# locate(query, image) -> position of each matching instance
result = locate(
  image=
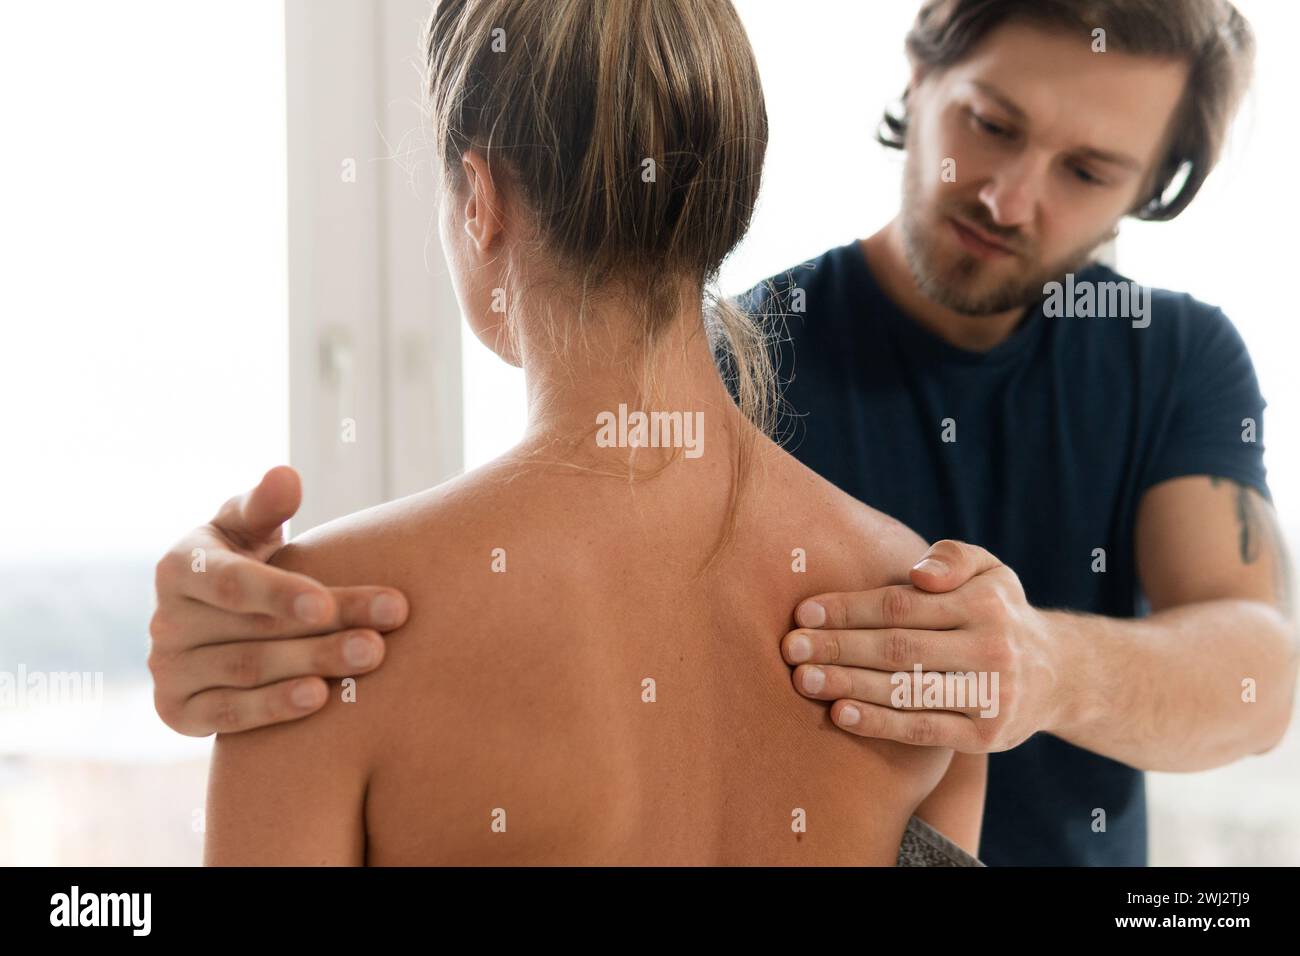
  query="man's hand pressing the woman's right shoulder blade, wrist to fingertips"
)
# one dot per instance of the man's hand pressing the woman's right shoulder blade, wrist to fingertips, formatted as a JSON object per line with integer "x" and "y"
{"x": 967, "y": 613}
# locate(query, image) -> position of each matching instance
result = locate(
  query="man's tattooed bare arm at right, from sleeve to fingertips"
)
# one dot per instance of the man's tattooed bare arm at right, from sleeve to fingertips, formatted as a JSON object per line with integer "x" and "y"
{"x": 1168, "y": 693}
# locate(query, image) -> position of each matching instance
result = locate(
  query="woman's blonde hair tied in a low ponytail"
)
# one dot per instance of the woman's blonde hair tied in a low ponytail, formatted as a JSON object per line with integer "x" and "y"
{"x": 571, "y": 105}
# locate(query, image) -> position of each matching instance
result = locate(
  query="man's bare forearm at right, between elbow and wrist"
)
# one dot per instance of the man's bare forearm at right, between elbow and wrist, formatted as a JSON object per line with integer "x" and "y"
{"x": 1189, "y": 689}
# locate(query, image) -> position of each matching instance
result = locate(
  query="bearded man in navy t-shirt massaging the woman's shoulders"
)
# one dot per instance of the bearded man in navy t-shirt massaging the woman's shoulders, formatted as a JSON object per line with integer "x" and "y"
{"x": 970, "y": 373}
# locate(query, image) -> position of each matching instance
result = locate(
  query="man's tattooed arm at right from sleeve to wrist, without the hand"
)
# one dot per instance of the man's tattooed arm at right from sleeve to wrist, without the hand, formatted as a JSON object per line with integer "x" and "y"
{"x": 1211, "y": 676}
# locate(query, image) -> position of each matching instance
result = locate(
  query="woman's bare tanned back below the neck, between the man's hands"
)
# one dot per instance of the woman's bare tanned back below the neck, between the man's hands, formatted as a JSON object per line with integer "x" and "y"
{"x": 571, "y": 689}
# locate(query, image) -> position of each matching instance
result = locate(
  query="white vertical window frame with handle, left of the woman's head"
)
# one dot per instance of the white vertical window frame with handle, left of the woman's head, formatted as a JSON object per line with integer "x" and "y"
{"x": 374, "y": 322}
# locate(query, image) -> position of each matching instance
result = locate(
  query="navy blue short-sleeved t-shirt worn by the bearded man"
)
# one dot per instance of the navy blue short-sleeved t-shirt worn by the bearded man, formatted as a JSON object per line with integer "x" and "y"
{"x": 1059, "y": 431}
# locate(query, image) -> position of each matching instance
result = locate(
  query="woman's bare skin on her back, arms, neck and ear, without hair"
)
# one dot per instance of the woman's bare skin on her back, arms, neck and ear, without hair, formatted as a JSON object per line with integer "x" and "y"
{"x": 523, "y": 690}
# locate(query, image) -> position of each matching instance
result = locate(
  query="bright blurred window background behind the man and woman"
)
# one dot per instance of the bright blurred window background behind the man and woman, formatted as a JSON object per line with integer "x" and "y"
{"x": 218, "y": 240}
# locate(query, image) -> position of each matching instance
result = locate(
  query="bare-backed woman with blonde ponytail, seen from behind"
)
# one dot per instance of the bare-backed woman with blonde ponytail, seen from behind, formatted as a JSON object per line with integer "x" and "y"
{"x": 591, "y": 673}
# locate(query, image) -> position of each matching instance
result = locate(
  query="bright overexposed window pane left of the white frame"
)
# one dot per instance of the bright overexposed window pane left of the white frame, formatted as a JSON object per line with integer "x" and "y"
{"x": 144, "y": 379}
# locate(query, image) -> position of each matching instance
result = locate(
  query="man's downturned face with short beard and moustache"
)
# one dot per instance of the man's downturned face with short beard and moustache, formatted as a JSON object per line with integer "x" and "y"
{"x": 1052, "y": 144}
